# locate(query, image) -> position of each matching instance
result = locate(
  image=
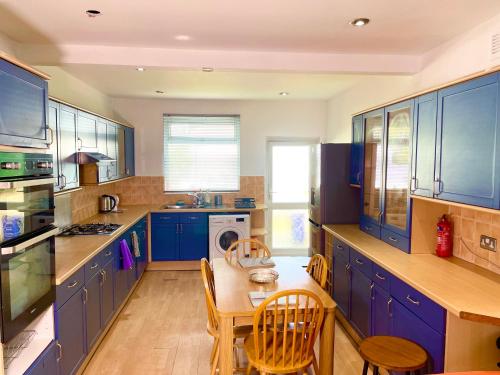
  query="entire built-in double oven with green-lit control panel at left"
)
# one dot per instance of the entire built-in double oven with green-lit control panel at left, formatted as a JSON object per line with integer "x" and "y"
{"x": 27, "y": 244}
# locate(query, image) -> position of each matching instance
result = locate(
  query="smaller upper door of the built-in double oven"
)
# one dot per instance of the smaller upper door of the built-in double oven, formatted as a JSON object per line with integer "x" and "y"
{"x": 26, "y": 206}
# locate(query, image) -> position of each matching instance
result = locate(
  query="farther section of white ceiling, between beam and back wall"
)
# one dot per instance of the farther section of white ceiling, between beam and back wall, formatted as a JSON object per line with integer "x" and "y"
{"x": 122, "y": 81}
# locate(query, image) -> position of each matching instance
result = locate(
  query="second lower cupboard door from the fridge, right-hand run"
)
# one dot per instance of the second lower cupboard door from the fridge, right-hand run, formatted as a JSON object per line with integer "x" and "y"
{"x": 361, "y": 298}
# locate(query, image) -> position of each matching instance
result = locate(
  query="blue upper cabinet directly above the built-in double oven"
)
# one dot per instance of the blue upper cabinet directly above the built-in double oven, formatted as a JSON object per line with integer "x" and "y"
{"x": 23, "y": 107}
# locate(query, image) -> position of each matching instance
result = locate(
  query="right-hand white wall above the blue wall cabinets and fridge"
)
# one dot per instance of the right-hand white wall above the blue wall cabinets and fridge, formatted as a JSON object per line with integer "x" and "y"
{"x": 466, "y": 54}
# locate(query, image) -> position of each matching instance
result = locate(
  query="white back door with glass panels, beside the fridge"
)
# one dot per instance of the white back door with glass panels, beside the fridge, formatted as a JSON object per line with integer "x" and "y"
{"x": 289, "y": 184}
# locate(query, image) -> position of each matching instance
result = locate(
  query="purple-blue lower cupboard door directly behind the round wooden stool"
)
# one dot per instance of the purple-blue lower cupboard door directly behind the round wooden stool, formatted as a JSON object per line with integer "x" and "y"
{"x": 408, "y": 325}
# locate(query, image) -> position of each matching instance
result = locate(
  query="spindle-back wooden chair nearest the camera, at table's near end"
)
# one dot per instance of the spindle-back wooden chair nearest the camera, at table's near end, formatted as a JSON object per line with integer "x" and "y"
{"x": 272, "y": 350}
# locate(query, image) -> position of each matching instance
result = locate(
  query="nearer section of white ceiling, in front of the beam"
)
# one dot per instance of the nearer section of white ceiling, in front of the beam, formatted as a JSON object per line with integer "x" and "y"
{"x": 398, "y": 26}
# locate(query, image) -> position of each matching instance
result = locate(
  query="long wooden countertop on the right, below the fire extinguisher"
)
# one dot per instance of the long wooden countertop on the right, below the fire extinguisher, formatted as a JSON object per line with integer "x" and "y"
{"x": 465, "y": 290}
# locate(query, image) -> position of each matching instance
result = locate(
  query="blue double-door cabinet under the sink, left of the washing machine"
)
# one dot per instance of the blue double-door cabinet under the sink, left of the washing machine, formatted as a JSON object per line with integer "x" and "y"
{"x": 182, "y": 236}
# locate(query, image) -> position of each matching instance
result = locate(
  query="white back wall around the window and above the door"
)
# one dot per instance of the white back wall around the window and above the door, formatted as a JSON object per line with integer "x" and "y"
{"x": 259, "y": 120}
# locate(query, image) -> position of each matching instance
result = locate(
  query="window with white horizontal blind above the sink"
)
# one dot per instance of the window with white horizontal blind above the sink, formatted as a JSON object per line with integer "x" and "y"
{"x": 201, "y": 152}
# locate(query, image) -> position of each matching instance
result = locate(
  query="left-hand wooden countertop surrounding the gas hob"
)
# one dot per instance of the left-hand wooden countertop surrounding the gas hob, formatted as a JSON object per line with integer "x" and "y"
{"x": 72, "y": 252}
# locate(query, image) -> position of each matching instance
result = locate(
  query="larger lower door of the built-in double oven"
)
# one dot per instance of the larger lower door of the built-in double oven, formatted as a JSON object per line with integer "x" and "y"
{"x": 27, "y": 280}
